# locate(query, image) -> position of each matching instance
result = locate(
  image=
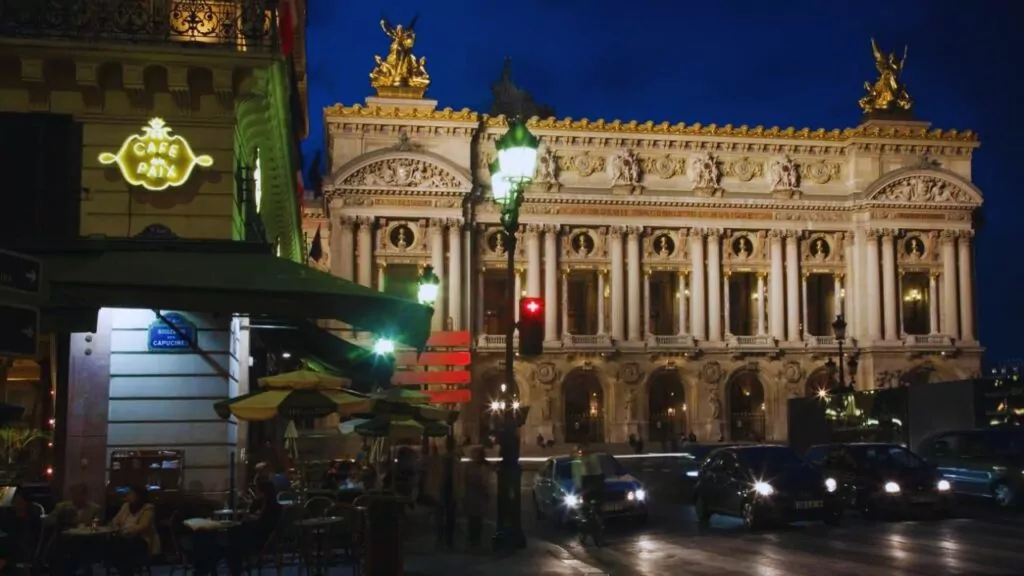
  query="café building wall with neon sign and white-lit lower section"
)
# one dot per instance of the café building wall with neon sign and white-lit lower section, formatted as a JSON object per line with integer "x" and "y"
{"x": 175, "y": 120}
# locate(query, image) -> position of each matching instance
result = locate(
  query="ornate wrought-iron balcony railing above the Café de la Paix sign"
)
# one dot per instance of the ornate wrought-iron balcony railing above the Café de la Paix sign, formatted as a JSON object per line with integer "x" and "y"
{"x": 234, "y": 25}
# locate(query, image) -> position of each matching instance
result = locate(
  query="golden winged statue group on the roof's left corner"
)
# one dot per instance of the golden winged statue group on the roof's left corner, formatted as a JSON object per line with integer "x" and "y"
{"x": 400, "y": 75}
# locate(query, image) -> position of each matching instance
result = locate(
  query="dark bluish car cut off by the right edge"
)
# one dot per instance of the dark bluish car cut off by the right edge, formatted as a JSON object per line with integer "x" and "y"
{"x": 986, "y": 463}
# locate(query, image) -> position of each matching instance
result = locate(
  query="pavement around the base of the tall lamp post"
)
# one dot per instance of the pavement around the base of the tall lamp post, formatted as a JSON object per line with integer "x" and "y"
{"x": 423, "y": 558}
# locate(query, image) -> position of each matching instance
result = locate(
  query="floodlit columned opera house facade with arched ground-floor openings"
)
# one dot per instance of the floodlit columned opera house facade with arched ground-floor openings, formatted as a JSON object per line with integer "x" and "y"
{"x": 692, "y": 273}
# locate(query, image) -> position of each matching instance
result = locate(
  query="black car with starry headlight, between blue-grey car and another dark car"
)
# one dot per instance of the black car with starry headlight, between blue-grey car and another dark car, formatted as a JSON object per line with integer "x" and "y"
{"x": 765, "y": 484}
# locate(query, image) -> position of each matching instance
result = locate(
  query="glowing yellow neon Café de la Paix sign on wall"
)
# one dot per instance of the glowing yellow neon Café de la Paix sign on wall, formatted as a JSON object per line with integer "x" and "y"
{"x": 156, "y": 160}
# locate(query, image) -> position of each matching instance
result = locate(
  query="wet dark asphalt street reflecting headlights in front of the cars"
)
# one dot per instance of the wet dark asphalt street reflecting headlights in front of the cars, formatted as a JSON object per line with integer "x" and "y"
{"x": 978, "y": 541}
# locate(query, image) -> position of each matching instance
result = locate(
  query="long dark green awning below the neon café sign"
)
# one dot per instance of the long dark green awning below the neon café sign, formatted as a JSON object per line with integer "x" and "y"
{"x": 219, "y": 277}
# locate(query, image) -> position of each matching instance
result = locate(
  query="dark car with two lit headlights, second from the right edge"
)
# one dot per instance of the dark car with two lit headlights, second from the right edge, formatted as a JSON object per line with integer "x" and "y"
{"x": 883, "y": 480}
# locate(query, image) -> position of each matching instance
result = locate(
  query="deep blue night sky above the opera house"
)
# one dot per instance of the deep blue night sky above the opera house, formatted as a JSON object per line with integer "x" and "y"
{"x": 789, "y": 63}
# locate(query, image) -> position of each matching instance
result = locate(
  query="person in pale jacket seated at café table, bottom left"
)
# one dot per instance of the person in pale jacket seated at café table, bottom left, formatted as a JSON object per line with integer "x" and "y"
{"x": 138, "y": 541}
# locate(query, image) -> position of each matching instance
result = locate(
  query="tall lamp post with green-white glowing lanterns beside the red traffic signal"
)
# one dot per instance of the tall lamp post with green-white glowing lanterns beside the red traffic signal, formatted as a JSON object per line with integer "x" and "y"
{"x": 511, "y": 173}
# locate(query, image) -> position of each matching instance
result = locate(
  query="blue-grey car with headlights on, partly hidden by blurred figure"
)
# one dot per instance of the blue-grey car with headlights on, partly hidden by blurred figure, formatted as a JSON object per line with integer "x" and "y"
{"x": 554, "y": 492}
